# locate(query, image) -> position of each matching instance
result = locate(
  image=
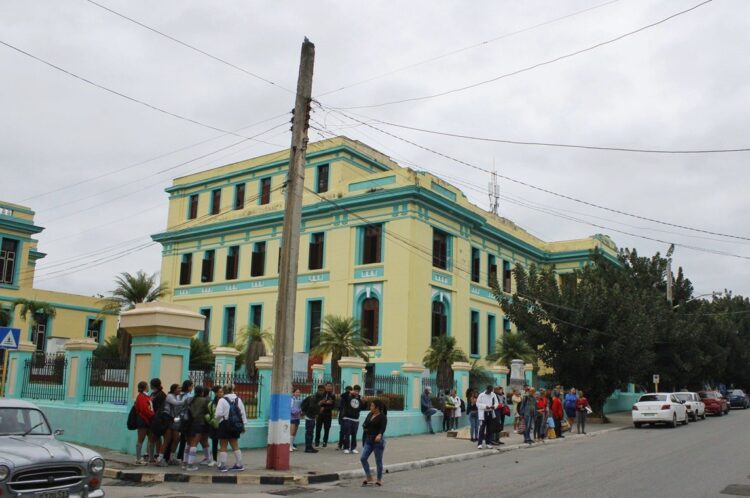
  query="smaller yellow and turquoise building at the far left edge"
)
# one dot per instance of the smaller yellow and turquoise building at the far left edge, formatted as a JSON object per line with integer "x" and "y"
{"x": 75, "y": 316}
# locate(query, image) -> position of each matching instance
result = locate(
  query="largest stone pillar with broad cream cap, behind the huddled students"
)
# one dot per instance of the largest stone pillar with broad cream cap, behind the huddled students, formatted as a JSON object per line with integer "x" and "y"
{"x": 161, "y": 342}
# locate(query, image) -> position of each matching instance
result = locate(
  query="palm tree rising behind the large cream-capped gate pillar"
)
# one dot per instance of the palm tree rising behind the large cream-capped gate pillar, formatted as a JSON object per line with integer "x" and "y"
{"x": 131, "y": 290}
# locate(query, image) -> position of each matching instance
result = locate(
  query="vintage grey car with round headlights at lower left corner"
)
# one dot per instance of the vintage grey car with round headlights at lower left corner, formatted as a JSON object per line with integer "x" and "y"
{"x": 34, "y": 463}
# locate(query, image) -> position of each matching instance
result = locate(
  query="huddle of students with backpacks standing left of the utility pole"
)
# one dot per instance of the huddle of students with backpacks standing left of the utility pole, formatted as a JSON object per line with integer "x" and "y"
{"x": 176, "y": 422}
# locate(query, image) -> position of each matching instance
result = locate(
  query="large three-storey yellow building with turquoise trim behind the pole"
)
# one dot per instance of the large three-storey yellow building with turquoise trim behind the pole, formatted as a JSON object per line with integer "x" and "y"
{"x": 402, "y": 251}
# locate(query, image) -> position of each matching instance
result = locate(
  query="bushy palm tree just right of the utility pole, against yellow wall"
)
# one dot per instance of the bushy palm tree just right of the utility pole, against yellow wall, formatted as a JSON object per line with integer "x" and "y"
{"x": 340, "y": 337}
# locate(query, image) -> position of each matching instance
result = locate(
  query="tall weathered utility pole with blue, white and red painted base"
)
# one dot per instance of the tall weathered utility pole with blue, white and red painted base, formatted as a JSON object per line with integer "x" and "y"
{"x": 277, "y": 454}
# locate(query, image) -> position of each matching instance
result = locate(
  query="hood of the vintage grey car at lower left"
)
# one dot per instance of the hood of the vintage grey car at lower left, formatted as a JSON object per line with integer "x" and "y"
{"x": 20, "y": 451}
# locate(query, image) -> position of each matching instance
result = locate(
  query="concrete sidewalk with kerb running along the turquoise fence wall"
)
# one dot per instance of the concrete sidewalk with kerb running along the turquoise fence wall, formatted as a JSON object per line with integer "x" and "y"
{"x": 402, "y": 453}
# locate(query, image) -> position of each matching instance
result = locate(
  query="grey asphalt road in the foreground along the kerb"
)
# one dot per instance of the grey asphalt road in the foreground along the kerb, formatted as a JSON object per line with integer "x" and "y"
{"x": 699, "y": 460}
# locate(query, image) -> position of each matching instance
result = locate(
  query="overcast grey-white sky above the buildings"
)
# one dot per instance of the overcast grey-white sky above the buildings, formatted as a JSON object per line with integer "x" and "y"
{"x": 94, "y": 165}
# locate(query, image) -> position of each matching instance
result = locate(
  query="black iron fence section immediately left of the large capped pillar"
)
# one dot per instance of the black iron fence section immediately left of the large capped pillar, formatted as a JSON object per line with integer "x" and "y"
{"x": 107, "y": 380}
